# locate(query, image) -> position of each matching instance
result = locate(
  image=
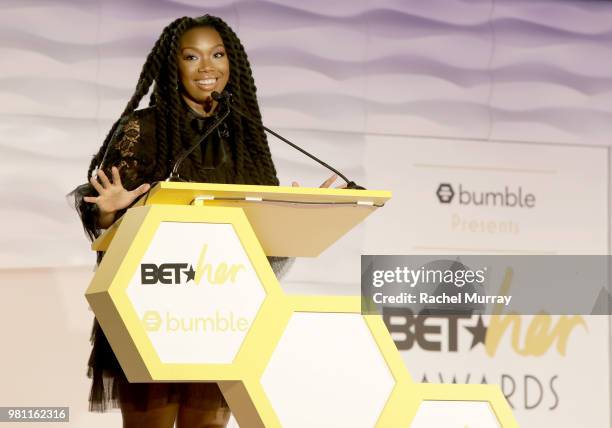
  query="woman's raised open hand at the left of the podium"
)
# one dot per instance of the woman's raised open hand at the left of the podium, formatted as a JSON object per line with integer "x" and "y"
{"x": 113, "y": 197}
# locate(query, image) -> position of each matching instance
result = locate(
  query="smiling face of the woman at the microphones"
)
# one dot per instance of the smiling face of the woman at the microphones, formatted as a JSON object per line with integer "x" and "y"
{"x": 203, "y": 68}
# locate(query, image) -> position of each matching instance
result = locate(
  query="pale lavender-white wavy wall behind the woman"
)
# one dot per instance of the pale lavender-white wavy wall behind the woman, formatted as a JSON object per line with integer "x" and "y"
{"x": 332, "y": 75}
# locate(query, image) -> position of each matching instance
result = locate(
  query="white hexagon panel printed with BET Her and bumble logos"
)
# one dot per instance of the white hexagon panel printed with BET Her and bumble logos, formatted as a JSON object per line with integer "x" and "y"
{"x": 196, "y": 292}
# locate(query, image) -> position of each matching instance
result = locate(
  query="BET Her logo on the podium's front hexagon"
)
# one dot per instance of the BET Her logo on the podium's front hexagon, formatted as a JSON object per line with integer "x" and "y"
{"x": 172, "y": 273}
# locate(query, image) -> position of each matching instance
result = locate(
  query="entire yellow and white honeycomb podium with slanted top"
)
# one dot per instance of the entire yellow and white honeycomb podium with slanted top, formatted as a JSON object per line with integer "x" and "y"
{"x": 185, "y": 293}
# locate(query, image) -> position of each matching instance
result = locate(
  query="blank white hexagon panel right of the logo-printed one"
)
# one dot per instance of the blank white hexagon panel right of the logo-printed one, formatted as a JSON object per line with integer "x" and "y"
{"x": 327, "y": 371}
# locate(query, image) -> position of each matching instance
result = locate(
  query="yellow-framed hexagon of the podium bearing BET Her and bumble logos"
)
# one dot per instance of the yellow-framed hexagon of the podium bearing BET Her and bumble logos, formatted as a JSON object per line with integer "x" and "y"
{"x": 179, "y": 290}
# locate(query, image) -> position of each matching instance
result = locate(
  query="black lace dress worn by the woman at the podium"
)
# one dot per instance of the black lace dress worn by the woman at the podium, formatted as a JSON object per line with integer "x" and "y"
{"x": 135, "y": 152}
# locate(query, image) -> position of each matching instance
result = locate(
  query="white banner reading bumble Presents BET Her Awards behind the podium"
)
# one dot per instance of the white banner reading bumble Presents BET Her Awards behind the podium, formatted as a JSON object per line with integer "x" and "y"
{"x": 552, "y": 366}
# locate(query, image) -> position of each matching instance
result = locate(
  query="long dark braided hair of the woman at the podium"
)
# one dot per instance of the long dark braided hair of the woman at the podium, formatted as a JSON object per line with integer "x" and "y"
{"x": 252, "y": 159}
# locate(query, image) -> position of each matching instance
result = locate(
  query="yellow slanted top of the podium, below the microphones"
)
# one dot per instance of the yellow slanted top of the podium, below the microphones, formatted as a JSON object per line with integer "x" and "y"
{"x": 288, "y": 221}
